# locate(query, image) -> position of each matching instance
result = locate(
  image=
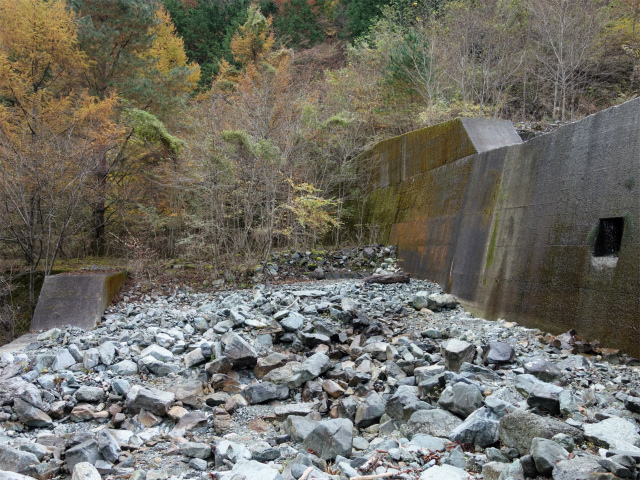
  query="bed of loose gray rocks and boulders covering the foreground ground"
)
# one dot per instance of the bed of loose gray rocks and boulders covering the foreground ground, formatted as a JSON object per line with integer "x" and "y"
{"x": 330, "y": 379}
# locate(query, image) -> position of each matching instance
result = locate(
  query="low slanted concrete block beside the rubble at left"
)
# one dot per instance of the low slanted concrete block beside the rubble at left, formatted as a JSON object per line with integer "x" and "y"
{"x": 78, "y": 300}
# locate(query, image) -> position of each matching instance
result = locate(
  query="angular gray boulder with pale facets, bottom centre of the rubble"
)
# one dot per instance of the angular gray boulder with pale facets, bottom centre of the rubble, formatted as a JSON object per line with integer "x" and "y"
{"x": 331, "y": 438}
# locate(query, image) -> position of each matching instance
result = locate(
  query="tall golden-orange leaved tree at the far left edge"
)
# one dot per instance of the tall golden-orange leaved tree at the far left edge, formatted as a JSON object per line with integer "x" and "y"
{"x": 53, "y": 134}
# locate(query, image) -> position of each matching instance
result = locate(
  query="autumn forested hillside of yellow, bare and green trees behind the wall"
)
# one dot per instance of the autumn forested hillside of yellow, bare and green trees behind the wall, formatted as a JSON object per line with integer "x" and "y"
{"x": 218, "y": 131}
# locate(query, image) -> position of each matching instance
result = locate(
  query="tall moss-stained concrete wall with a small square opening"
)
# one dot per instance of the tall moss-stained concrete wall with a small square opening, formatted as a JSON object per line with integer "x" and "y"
{"x": 511, "y": 231}
